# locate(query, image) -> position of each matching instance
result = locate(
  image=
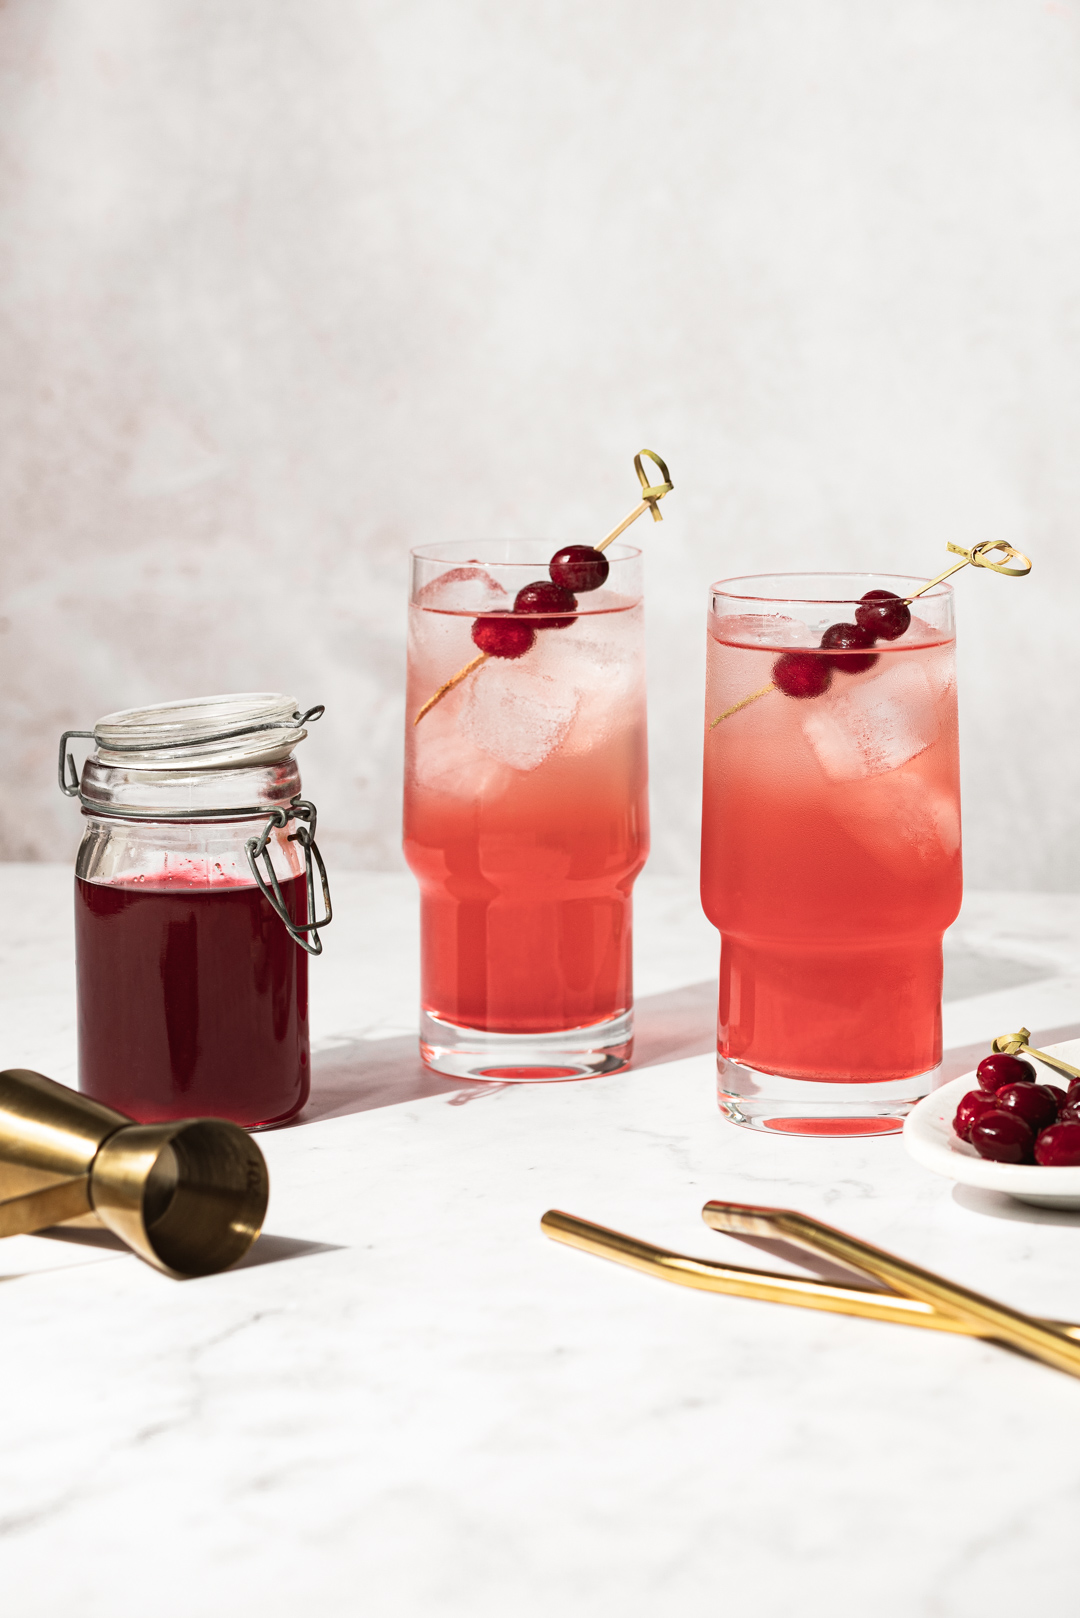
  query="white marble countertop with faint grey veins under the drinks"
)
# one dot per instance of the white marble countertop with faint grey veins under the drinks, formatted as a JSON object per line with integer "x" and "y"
{"x": 407, "y": 1402}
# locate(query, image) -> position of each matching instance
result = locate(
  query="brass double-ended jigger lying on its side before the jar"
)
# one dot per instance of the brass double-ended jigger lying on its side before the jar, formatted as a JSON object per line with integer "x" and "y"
{"x": 187, "y": 1197}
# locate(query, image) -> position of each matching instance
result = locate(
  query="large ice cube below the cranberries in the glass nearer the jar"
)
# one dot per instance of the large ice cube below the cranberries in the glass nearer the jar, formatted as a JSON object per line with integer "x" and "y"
{"x": 516, "y": 713}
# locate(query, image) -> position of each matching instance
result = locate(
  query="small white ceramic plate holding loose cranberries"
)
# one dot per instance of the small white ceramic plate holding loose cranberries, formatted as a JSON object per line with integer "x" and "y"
{"x": 932, "y": 1143}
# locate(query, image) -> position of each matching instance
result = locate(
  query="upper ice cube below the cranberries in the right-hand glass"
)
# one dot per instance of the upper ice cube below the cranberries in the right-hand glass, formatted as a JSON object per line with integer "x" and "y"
{"x": 874, "y": 724}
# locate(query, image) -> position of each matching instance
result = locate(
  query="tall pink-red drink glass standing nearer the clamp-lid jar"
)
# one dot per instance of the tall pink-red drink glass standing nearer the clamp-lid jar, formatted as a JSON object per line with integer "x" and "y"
{"x": 525, "y": 815}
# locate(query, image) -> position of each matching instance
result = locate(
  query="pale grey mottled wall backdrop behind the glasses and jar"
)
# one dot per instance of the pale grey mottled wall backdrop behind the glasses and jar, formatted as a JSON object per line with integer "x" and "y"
{"x": 291, "y": 286}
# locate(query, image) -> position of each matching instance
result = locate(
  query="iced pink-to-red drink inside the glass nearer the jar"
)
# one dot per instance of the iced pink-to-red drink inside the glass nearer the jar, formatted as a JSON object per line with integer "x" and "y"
{"x": 527, "y": 873}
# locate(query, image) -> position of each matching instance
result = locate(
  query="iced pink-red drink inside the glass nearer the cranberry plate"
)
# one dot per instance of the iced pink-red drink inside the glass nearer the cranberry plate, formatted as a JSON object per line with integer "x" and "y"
{"x": 833, "y": 873}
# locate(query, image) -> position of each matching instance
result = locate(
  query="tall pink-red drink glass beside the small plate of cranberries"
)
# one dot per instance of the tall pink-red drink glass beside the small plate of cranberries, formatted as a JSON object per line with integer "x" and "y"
{"x": 830, "y": 850}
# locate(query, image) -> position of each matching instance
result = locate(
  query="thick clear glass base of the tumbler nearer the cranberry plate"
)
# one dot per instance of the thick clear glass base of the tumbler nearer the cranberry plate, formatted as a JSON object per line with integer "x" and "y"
{"x": 765, "y": 1101}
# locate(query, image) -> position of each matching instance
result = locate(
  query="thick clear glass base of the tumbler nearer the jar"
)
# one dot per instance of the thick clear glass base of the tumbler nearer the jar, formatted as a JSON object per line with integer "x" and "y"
{"x": 527, "y": 1059}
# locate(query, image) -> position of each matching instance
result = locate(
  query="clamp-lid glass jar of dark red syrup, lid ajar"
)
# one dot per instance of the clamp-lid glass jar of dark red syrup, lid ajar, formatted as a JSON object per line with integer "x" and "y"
{"x": 197, "y": 910}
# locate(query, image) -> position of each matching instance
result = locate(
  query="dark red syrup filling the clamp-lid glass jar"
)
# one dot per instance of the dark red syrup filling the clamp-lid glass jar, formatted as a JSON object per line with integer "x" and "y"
{"x": 193, "y": 1001}
